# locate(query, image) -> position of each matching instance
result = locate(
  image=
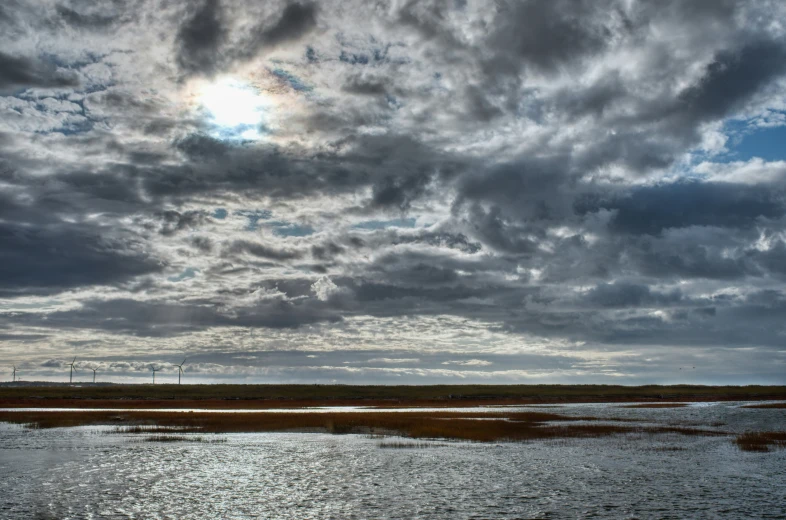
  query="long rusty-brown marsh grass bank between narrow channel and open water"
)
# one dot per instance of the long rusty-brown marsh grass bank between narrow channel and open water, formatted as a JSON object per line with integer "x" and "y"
{"x": 496, "y": 426}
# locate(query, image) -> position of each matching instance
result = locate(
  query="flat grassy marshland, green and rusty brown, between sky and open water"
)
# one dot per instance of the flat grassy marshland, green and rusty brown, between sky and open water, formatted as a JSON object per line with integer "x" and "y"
{"x": 151, "y": 410}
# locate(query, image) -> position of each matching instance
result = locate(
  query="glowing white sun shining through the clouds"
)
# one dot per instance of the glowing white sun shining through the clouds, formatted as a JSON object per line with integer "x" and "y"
{"x": 235, "y": 108}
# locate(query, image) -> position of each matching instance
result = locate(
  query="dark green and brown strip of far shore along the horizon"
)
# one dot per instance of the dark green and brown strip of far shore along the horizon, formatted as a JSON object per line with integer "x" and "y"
{"x": 166, "y": 396}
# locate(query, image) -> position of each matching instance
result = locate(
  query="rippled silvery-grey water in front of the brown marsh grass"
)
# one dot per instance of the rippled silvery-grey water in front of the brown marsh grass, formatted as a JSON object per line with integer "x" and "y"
{"x": 109, "y": 472}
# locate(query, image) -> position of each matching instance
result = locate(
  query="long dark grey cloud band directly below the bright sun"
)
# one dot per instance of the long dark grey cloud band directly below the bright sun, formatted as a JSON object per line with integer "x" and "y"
{"x": 398, "y": 169}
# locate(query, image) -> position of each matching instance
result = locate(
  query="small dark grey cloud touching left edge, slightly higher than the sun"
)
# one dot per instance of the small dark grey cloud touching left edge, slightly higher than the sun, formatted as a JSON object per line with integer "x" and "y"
{"x": 19, "y": 72}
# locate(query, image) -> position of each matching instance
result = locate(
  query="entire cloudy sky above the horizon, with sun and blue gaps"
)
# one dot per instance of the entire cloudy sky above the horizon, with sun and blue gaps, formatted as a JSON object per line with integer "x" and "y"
{"x": 533, "y": 191}
